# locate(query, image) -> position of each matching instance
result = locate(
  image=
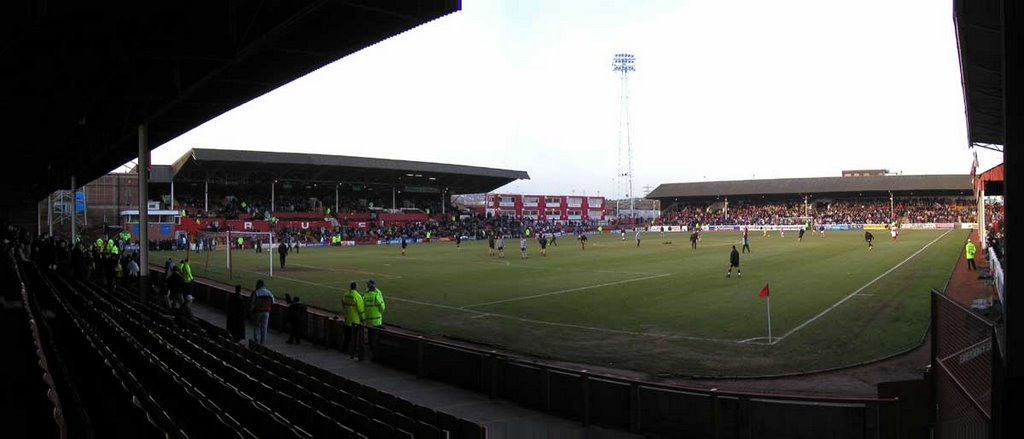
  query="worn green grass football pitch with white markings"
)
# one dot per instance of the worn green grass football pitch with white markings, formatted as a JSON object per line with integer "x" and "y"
{"x": 663, "y": 309}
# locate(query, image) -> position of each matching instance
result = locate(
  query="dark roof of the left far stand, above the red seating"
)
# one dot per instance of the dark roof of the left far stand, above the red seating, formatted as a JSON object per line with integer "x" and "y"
{"x": 245, "y": 167}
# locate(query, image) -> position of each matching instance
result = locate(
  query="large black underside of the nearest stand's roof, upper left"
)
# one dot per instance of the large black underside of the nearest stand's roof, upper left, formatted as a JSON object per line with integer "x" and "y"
{"x": 78, "y": 78}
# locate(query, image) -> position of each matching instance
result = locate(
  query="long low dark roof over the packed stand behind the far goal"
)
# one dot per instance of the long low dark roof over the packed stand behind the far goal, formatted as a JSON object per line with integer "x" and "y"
{"x": 817, "y": 187}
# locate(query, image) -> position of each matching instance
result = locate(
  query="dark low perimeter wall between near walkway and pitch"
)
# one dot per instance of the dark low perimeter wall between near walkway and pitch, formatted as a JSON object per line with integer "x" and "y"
{"x": 594, "y": 399}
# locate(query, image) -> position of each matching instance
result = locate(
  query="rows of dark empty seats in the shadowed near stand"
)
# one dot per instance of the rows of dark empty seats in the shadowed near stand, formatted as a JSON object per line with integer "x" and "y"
{"x": 141, "y": 375}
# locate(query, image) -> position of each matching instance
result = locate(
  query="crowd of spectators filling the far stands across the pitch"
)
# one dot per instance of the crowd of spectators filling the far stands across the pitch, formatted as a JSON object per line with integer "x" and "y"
{"x": 462, "y": 224}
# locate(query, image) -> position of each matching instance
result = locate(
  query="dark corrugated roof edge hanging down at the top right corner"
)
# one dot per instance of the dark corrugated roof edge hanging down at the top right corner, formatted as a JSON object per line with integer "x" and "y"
{"x": 979, "y": 38}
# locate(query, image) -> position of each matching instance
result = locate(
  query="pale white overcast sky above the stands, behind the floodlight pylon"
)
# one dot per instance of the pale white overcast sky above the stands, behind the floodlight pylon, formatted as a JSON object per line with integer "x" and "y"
{"x": 722, "y": 91}
